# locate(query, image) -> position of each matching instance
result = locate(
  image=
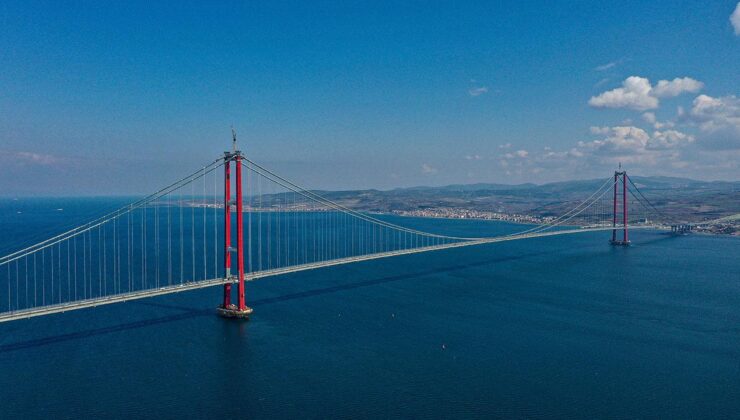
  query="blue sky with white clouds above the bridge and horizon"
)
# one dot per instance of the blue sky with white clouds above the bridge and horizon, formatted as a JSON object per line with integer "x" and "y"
{"x": 101, "y": 98}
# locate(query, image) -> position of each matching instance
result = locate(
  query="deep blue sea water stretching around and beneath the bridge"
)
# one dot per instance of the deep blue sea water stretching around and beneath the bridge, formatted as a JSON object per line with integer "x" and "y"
{"x": 565, "y": 326}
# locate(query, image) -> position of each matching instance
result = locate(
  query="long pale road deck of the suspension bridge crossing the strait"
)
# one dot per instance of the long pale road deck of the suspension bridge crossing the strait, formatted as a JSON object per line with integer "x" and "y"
{"x": 176, "y": 288}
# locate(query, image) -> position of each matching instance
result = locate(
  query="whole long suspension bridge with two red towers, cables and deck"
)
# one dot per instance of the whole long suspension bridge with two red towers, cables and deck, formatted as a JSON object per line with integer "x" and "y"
{"x": 234, "y": 221}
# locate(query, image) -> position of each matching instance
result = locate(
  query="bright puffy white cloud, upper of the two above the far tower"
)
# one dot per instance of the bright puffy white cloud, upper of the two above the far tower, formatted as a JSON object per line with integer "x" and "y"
{"x": 637, "y": 93}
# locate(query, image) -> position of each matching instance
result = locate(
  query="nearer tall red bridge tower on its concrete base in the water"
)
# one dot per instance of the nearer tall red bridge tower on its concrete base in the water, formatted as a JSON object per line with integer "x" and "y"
{"x": 227, "y": 309}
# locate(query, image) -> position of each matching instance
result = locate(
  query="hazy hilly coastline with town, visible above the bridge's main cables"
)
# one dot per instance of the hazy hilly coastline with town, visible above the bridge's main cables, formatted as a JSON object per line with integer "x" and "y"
{"x": 682, "y": 198}
